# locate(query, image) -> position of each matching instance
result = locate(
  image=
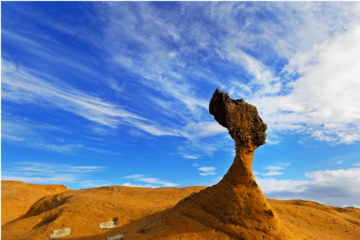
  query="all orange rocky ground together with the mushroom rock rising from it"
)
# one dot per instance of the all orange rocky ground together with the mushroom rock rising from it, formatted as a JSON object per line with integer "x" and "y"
{"x": 235, "y": 208}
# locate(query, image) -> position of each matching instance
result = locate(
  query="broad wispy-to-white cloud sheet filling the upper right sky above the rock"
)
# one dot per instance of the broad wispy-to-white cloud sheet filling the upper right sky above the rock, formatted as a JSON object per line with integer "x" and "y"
{"x": 286, "y": 101}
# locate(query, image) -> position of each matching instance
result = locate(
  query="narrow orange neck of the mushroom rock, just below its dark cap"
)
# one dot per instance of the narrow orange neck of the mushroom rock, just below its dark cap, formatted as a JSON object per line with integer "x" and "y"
{"x": 240, "y": 171}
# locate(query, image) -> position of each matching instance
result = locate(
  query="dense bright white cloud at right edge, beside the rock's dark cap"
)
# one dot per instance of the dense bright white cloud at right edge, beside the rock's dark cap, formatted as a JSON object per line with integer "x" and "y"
{"x": 323, "y": 101}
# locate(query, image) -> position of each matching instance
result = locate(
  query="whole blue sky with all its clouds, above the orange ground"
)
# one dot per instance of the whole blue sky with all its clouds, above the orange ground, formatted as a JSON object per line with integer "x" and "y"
{"x": 116, "y": 92}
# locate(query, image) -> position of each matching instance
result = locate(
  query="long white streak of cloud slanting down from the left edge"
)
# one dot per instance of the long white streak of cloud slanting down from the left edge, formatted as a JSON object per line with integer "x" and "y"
{"x": 21, "y": 87}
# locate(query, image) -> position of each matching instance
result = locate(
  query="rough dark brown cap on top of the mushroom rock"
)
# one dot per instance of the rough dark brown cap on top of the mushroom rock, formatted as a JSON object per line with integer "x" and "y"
{"x": 240, "y": 118}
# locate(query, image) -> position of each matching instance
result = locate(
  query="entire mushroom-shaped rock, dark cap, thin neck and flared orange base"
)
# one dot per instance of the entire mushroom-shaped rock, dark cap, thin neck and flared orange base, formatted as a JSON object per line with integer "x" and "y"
{"x": 236, "y": 206}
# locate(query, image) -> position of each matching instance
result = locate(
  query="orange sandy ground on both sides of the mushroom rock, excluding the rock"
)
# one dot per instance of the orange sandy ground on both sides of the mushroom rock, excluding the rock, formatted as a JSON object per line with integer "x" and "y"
{"x": 136, "y": 208}
